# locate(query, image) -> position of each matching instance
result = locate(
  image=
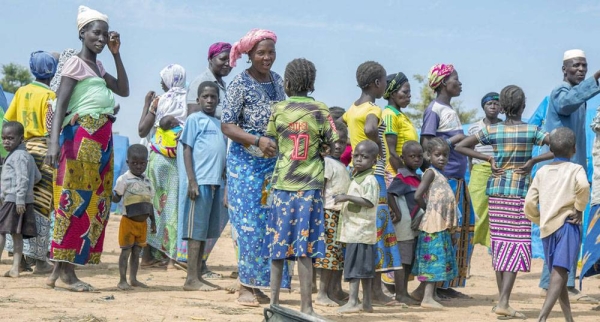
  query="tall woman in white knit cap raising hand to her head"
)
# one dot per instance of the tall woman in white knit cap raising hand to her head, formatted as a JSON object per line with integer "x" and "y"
{"x": 83, "y": 123}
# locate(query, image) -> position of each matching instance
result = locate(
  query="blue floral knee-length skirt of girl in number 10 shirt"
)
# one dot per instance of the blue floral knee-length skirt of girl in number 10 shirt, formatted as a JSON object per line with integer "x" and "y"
{"x": 295, "y": 225}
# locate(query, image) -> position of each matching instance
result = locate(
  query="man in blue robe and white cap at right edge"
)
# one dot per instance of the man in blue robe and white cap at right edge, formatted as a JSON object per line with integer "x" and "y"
{"x": 567, "y": 107}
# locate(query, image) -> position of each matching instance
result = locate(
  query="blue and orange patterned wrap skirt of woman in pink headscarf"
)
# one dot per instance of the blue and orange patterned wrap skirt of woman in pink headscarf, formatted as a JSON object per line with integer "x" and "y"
{"x": 463, "y": 235}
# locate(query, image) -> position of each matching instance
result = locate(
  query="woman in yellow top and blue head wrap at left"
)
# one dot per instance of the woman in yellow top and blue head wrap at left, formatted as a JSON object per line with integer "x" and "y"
{"x": 30, "y": 108}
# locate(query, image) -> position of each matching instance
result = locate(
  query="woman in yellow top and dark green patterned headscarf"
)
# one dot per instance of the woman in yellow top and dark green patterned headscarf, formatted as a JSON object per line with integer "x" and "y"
{"x": 398, "y": 127}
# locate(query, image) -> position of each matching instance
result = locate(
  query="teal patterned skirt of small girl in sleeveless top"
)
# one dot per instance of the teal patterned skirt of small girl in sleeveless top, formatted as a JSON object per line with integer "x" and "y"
{"x": 434, "y": 258}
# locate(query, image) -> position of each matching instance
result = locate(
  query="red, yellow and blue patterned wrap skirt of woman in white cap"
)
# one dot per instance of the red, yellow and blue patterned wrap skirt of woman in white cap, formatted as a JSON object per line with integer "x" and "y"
{"x": 82, "y": 191}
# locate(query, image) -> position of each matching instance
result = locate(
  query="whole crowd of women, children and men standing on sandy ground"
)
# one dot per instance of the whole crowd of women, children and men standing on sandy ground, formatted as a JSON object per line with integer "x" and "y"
{"x": 357, "y": 194}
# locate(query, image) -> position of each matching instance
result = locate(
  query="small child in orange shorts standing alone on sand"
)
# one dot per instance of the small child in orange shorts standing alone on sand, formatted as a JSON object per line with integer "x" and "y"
{"x": 136, "y": 191}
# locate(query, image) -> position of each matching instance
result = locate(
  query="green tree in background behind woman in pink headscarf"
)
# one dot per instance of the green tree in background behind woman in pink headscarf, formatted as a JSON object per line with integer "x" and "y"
{"x": 426, "y": 94}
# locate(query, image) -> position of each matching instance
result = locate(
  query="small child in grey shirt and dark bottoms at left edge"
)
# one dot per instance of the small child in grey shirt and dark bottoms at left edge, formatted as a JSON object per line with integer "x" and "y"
{"x": 19, "y": 175}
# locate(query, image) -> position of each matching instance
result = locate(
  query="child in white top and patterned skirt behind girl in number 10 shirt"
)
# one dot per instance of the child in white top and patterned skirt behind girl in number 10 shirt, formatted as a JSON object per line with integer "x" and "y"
{"x": 337, "y": 181}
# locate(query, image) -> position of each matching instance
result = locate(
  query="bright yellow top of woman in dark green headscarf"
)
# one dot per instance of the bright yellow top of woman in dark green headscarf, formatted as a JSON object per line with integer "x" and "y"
{"x": 398, "y": 124}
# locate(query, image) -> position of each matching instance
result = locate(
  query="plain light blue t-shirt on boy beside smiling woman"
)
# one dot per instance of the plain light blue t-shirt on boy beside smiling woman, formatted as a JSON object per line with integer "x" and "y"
{"x": 209, "y": 148}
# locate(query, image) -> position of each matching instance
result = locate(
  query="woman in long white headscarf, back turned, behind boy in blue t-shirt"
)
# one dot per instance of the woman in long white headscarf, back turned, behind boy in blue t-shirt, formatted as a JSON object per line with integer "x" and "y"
{"x": 162, "y": 169}
